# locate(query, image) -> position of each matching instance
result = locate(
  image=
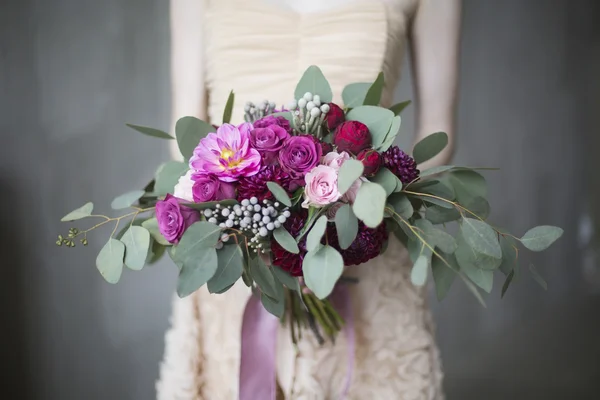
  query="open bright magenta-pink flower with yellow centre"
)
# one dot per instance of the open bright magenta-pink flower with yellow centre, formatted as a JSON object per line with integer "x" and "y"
{"x": 227, "y": 154}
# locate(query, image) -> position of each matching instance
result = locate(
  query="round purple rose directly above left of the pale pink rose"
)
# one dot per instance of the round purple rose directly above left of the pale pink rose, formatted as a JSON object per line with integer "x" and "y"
{"x": 299, "y": 155}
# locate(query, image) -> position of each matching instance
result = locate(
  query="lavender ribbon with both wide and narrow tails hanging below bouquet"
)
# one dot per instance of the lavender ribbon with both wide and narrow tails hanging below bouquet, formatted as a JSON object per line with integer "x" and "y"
{"x": 259, "y": 344}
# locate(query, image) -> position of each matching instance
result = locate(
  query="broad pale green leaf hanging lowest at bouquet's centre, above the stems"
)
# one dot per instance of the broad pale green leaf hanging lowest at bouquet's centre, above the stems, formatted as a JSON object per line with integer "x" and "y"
{"x": 322, "y": 269}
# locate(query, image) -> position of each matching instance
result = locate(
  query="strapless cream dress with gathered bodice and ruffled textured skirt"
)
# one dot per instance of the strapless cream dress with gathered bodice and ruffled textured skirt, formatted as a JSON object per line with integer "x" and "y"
{"x": 260, "y": 50}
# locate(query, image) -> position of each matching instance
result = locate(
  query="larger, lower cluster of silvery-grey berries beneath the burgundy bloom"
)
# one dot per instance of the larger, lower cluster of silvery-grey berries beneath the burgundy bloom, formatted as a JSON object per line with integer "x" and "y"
{"x": 255, "y": 219}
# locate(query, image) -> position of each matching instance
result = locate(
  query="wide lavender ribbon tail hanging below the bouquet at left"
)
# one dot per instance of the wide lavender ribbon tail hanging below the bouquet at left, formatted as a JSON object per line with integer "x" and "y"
{"x": 258, "y": 358}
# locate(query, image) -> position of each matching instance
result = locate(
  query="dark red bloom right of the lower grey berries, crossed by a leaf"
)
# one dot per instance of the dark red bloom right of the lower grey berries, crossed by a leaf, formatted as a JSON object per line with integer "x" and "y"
{"x": 282, "y": 258}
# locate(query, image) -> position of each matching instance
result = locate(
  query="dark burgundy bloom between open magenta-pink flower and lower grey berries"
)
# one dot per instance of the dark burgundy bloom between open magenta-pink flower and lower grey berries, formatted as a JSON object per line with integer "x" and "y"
{"x": 256, "y": 185}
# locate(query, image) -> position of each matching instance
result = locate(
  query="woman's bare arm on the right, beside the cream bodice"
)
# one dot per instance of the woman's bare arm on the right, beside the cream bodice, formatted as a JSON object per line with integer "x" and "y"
{"x": 435, "y": 45}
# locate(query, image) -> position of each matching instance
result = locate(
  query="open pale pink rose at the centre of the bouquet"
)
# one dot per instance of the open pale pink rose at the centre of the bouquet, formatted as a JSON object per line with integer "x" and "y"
{"x": 321, "y": 187}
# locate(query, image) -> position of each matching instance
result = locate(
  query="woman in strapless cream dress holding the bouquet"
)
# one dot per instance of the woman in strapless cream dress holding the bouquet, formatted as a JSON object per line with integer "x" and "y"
{"x": 259, "y": 48}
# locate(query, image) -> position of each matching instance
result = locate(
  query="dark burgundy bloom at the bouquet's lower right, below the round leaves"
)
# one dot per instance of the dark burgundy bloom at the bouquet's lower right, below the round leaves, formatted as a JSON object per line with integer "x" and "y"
{"x": 367, "y": 245}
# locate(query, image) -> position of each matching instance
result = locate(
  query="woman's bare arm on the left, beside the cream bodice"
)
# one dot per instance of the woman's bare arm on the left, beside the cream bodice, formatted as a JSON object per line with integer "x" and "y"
{"x": 188, "y": 94}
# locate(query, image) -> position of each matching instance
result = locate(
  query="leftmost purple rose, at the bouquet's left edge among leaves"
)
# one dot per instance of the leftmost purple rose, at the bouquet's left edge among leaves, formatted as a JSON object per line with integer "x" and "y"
{"x": 173, "y": 218}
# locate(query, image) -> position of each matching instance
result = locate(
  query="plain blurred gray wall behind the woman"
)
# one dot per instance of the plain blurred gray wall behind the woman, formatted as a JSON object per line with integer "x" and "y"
{"x": 72, "y": 72}
